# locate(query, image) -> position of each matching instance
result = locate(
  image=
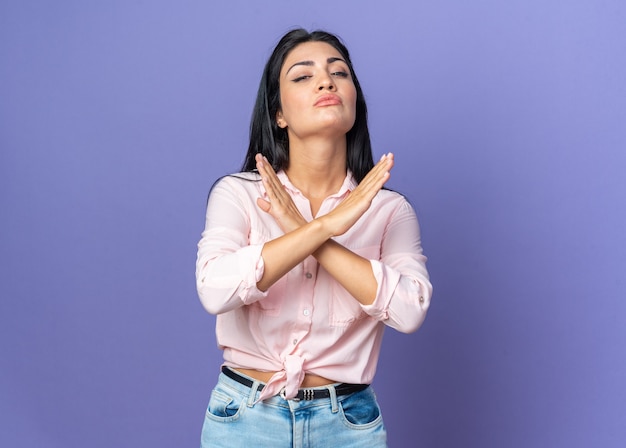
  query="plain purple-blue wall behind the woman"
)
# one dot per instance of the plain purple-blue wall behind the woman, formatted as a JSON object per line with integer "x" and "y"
{"x": 508, "y": 121}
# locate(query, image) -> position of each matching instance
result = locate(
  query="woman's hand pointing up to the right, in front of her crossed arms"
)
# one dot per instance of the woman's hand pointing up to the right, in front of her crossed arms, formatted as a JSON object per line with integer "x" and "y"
{"x": 346, "y": 214}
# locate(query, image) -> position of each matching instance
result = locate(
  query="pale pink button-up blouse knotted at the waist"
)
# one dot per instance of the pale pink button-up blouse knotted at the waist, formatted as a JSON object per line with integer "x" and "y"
{"x": 307, "y": 322}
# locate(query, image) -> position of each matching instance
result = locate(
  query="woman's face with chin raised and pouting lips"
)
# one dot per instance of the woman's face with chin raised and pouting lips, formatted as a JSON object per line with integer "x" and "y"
{"x": 317, "y": 94}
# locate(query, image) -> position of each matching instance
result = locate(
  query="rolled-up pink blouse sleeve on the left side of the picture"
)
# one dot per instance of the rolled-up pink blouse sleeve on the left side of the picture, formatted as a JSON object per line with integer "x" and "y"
{"x": 228, "y": 267}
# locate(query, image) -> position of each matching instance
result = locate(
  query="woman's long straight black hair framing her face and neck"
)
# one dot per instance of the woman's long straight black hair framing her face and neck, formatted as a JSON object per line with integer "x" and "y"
{"x": 267, "y": 138}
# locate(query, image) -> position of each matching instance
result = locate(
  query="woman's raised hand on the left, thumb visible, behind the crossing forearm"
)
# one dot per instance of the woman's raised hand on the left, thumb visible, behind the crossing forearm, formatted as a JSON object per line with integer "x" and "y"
{"x": 279, "y": 204}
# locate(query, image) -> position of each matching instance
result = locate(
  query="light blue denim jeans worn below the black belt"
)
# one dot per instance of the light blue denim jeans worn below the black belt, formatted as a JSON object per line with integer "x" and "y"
{"x": 233, "y": 420}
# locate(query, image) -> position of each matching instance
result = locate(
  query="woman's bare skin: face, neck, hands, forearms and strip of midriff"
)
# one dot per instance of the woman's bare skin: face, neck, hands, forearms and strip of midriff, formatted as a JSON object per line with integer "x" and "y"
{"x": 318, "y": 101}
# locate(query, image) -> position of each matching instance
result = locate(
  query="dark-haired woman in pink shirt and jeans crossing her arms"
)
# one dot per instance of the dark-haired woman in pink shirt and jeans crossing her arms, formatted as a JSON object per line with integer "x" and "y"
{"x": 305, "y": 259}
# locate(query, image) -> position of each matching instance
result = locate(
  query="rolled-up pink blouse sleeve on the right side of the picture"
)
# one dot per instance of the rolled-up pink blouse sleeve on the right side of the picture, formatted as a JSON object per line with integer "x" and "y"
{"x": 404, "y": 289}
